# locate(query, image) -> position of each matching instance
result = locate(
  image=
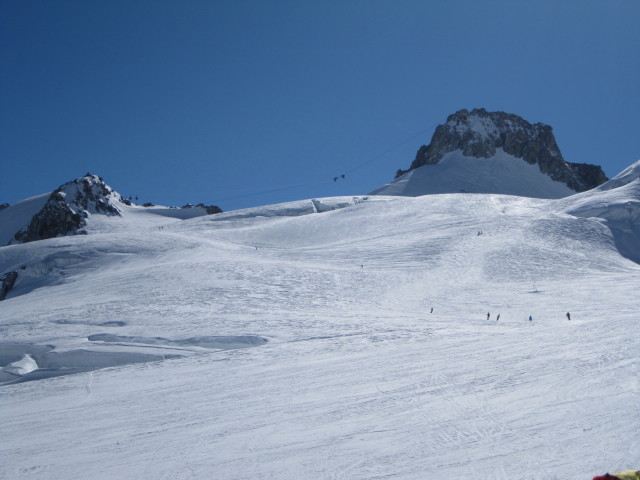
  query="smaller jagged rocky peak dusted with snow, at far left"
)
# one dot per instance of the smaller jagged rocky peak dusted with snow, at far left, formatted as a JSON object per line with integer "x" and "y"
{"x": 69, "y": 206}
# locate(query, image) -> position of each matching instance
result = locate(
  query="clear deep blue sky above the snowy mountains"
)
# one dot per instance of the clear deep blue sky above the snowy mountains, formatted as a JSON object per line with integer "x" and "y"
{"x": 203, "y": 101}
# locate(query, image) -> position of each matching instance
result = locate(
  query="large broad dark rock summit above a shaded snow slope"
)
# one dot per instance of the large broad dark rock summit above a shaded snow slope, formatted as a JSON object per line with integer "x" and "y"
{"x": 480, "y": 133}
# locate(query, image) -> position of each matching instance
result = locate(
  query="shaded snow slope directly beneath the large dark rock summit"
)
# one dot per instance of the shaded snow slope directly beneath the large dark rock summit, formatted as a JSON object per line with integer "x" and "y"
{"x": 457, "y": 173}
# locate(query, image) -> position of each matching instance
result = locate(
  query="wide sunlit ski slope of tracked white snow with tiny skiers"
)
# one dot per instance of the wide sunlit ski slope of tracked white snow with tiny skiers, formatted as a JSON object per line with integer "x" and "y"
{"x": 350, "y": 374}
